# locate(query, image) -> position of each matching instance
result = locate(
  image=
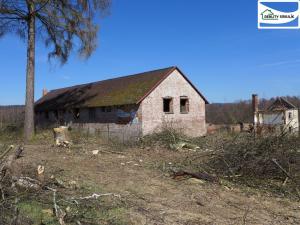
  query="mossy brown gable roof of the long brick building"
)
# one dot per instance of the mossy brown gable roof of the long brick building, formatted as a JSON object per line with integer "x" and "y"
{"x": 131, "y": 89}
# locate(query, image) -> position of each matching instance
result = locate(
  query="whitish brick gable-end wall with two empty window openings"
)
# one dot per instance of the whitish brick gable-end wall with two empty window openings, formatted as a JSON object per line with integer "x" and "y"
{"x": 175, "y": 86}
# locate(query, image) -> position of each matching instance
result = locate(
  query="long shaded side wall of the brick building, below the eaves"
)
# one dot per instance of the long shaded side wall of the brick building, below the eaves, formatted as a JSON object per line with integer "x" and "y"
{"x": 121, "y": 122}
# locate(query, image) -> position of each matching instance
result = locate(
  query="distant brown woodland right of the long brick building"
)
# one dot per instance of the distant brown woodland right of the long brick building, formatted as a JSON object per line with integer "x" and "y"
{"x": 241, "y": 111}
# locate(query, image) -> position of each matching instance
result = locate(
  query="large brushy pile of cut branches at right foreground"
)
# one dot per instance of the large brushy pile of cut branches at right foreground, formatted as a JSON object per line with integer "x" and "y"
{"x": 274, "y": 158}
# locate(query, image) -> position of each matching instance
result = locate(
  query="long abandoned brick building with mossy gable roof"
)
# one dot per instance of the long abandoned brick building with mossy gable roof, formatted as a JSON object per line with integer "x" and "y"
{"x": 126, "y": 107}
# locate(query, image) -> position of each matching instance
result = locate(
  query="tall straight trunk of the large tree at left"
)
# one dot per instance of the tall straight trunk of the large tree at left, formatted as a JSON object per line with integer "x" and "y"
{"x": 29, "y": 102}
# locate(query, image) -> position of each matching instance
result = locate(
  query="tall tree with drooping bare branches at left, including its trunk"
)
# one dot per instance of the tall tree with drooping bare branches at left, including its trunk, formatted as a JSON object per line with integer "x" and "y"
{"x": 60, "y": 24}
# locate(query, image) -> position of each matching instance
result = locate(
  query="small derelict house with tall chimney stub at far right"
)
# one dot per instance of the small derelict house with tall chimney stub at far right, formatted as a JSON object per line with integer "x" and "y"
{"x": 280, "y": 115}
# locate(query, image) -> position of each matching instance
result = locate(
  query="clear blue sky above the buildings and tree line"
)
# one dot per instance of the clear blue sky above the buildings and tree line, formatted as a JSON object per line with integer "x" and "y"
{"x": 215, "y": 43}
